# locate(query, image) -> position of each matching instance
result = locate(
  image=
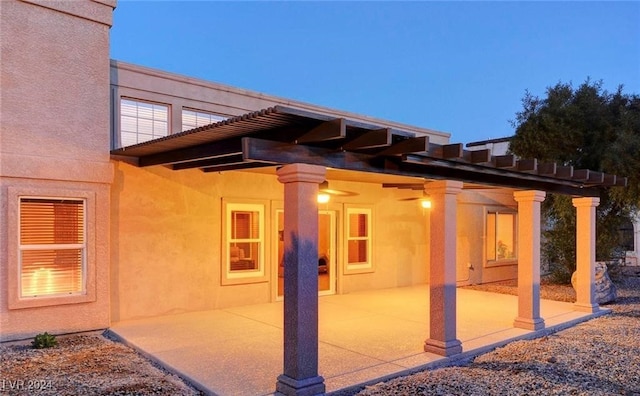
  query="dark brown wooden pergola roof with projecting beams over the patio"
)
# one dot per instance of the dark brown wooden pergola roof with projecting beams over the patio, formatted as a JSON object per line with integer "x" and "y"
{"x": 282, "y": 135}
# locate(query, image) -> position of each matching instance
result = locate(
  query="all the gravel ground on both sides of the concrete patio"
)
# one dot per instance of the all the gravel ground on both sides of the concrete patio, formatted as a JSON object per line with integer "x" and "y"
{"x": 599, "y": 357}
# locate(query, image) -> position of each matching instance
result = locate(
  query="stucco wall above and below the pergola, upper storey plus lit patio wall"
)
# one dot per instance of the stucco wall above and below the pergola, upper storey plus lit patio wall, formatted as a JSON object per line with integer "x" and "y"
{"x": 166, "y": 225}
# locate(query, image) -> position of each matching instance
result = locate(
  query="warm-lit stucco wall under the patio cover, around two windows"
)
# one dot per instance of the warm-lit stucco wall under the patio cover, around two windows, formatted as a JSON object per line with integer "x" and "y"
{"x": 166, "y": 238}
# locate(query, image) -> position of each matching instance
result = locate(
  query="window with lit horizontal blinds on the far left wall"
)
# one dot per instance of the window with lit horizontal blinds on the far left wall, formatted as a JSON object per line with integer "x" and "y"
{"x": 52, "y": 247}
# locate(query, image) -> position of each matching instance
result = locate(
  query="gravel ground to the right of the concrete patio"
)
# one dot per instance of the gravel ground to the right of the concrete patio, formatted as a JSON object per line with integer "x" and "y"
{"x": 599, "y": 357}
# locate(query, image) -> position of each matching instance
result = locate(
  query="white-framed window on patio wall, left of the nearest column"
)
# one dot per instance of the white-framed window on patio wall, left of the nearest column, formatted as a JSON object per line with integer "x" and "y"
{"x": 244, "y": 253}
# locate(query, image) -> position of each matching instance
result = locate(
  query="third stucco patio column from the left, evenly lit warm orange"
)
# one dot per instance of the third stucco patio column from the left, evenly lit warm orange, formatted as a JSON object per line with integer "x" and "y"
{"x": 529, "y": 259}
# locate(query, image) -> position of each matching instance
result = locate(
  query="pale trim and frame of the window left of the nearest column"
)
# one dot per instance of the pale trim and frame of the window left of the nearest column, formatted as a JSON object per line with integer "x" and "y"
{"x": 247, "y": 276}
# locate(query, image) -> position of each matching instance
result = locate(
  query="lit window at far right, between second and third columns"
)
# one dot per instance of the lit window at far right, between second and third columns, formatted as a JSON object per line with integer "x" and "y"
{"x": 501, "y": 236}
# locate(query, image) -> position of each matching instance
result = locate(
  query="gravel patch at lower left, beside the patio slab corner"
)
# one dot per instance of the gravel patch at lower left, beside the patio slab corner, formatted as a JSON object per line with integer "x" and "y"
{"x": 83, "y": 365}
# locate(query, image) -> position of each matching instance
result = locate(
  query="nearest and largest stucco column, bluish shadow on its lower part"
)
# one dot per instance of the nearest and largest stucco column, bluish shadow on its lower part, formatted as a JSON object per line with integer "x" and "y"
{"x": 300, "y": 376}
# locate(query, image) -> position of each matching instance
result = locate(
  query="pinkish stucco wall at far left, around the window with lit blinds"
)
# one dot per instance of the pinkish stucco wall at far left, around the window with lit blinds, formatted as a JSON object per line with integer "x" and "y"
{"x": 54, "y": 138}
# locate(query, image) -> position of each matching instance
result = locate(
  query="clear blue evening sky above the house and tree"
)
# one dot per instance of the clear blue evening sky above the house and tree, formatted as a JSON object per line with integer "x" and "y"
{"x": 458, "y": 67}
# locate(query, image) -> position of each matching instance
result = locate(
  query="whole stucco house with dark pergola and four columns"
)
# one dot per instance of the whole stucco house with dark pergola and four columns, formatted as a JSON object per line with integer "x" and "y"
{"x": 129, "y": 192}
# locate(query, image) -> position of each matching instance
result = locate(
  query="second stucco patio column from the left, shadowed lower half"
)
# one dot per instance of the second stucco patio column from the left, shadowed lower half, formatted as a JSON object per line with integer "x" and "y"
{"x": 442, "y": 268}
